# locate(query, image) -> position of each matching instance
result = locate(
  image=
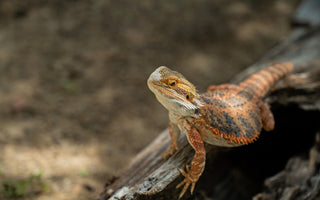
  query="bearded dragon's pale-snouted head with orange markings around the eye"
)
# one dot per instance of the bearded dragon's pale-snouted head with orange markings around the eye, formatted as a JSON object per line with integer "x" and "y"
{"x": 174, "y": 92}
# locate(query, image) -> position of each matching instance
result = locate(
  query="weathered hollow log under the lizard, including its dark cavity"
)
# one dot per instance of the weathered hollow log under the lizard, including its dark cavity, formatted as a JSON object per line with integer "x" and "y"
{"x": 289, "y": 155}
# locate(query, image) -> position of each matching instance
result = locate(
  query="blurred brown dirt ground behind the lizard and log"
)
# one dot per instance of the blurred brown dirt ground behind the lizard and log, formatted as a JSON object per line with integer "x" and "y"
{"x": 74, "y": 105}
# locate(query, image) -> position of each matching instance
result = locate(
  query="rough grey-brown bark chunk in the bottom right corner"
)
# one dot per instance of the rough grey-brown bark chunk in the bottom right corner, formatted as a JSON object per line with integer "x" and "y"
{"x": 299, "y": 180}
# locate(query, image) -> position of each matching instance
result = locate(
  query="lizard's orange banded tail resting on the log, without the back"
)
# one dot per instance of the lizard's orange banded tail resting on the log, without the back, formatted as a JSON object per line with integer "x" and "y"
{"x": 260, "y": 82}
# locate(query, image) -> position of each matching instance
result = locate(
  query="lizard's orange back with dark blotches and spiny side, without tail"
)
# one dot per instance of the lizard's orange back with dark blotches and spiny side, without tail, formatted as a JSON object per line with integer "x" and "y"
{"x": 230, "y": 117}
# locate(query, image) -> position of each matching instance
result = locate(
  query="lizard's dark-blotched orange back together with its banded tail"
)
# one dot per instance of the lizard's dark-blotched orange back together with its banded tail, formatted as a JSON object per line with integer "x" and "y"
{"x": 234, "y": 112}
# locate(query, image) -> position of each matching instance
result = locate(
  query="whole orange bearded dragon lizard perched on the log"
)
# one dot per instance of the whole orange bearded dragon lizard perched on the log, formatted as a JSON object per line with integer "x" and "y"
{"x": 226, "y": 115}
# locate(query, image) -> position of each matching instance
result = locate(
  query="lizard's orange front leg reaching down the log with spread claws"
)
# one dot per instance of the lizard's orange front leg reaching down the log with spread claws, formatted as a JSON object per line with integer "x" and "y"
{"x": 197, "y": 165}
